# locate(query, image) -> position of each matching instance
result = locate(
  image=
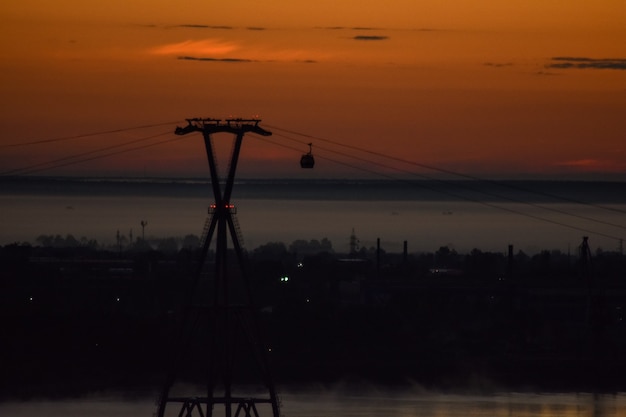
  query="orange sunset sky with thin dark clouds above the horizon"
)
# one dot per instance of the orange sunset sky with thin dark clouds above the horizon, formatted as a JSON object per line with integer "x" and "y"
{"x": 490, "y": 88}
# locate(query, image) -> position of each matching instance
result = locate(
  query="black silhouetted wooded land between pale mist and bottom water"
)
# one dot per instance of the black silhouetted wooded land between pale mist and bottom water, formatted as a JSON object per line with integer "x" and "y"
{"x": 82, "y": 317}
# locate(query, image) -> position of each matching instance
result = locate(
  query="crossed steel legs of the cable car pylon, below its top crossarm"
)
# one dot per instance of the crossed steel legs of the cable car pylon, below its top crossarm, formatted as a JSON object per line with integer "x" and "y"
{"x": 225, "y": 320}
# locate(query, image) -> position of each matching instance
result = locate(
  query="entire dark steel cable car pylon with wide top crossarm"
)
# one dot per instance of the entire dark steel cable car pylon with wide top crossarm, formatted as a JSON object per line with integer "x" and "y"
{"x": 227, "y": 309}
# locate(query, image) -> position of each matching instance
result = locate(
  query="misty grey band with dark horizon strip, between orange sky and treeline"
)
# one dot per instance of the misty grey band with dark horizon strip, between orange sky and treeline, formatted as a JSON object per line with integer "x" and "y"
{"x": 488, "y": 219}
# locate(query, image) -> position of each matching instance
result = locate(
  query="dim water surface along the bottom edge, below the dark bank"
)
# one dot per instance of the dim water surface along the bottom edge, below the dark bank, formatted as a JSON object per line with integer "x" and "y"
{"x": 371, "y": 404}
